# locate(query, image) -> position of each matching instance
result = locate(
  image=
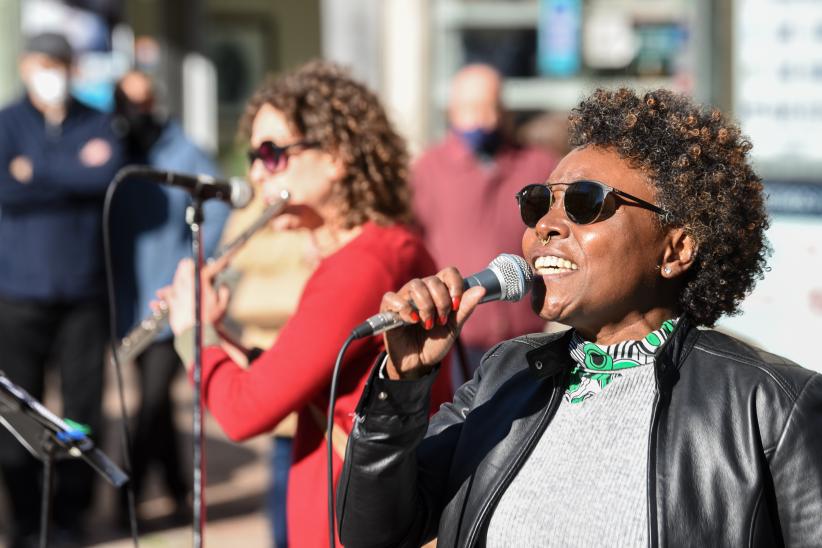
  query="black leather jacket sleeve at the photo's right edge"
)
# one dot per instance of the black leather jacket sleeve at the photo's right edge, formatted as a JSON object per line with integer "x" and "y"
{"x": 796, "y": 466}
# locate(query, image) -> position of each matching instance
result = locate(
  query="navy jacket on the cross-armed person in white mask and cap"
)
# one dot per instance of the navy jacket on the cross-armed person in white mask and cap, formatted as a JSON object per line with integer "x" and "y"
{"x": 50, "y": 223}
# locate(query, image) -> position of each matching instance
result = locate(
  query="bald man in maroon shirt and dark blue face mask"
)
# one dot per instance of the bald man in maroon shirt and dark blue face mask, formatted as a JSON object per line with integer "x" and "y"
{"x": 463, "y": 199}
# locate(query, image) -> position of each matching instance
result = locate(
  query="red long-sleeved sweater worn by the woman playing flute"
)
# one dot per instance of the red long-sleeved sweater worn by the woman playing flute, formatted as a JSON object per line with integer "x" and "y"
{"x": 346, "y": 288}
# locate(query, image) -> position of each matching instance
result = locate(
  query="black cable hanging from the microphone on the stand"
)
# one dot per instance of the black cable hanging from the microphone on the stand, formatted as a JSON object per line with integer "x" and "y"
{"x": 125, "y": 437}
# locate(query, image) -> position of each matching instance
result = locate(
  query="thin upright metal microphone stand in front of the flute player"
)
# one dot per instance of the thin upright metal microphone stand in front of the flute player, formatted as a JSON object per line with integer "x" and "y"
{"x": 194, "y": 219}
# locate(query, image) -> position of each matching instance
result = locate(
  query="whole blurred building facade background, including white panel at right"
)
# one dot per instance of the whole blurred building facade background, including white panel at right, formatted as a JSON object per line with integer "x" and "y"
{"x": 761, "y": 60}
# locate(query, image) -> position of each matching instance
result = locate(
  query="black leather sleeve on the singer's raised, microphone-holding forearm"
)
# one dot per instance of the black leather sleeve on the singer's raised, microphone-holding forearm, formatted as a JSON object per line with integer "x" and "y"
{"x": 391, "y": 489}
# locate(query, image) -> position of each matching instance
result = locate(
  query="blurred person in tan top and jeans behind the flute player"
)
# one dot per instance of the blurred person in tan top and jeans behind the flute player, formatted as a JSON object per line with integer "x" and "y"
{"x": 267, "y": 276}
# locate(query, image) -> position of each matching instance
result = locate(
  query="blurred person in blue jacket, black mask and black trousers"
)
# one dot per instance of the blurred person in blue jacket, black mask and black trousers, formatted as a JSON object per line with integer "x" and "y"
{"x": 150, "y": 237}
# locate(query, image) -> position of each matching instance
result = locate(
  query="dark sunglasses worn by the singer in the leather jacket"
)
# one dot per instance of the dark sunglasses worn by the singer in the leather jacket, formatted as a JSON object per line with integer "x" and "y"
{"x": 584, "y": 202}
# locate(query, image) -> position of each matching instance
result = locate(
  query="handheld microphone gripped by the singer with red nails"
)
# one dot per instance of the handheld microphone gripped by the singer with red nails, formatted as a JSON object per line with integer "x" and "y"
{"x": 507, "y": 278}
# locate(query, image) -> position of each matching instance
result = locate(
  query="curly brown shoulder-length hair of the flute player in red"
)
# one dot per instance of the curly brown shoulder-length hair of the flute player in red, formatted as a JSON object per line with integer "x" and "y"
{"x": 325, "y": 105}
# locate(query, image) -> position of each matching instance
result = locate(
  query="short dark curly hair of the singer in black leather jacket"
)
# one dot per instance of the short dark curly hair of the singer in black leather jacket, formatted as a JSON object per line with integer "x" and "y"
{"x": 698, "y": 160}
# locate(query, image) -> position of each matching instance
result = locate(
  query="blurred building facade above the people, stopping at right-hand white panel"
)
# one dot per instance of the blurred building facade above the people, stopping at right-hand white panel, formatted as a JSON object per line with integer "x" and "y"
{"x": 211, "y": 54}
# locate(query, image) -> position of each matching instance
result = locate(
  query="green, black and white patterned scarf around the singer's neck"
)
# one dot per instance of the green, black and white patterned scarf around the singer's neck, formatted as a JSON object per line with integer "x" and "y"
{"x": 597, "y": 366}
